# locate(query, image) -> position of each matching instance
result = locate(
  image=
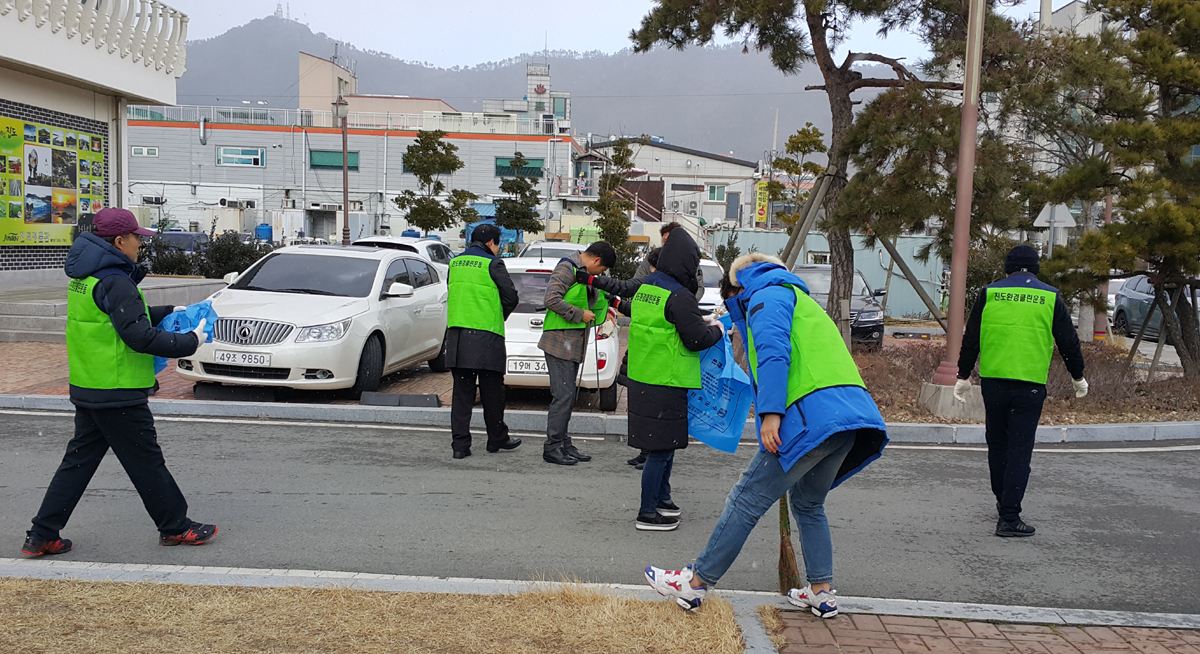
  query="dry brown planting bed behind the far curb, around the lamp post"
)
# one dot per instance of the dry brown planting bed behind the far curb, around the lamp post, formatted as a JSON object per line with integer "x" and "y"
{"x": 895, "y": 377}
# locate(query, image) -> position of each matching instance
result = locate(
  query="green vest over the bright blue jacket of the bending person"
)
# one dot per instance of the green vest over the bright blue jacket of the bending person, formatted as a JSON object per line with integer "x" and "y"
{"x": 820, "y": 359}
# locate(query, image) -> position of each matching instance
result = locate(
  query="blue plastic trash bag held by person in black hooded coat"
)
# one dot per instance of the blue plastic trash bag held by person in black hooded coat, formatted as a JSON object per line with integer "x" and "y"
{"x": 718, "y": 411}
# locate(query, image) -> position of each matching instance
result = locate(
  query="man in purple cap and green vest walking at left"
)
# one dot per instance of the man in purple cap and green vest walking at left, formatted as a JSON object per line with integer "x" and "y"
{"x": 112, "y": 343}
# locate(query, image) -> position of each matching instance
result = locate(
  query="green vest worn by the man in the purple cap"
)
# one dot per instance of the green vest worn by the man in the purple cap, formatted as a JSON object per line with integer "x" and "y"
{"x": 97, "y": 355}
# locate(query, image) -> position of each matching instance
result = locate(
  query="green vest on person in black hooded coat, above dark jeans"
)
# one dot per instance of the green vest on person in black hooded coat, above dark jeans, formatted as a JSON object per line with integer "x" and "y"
{"x": 657, "y": 355}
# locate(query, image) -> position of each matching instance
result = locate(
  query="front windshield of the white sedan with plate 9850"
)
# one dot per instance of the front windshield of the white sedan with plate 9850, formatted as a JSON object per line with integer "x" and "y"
{"x": 311, "y": 274}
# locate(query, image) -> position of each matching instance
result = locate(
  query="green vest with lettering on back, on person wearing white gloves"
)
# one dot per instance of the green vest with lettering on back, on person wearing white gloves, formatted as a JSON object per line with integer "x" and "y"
{"x": 1017, "y": 334}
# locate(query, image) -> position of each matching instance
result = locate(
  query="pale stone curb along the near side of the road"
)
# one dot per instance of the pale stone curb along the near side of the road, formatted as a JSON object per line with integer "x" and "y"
{"x": 746, "y": 602}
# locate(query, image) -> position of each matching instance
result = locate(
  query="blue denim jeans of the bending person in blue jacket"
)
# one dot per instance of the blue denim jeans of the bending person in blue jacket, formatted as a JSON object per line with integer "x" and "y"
{"x": 763, "y": 484}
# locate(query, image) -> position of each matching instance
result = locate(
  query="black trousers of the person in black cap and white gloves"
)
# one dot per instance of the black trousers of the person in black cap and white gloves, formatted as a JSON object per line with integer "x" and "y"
{"x": 1013, "y": 412}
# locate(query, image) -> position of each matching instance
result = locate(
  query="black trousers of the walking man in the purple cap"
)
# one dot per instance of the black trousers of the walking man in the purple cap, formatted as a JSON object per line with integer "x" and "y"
{"x": 131, "y": 435}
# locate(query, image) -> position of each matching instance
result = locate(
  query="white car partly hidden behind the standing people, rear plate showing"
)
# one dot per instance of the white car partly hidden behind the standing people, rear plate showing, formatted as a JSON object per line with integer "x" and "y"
{"x": 527, "y": 364}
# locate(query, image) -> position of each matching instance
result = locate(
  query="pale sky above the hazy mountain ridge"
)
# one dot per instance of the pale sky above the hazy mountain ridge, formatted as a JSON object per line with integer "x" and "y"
{"x": 466, "y": 33}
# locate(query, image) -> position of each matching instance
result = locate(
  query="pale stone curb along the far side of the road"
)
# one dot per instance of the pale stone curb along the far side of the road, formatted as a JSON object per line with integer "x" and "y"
{"x": 599, "y": 424}
